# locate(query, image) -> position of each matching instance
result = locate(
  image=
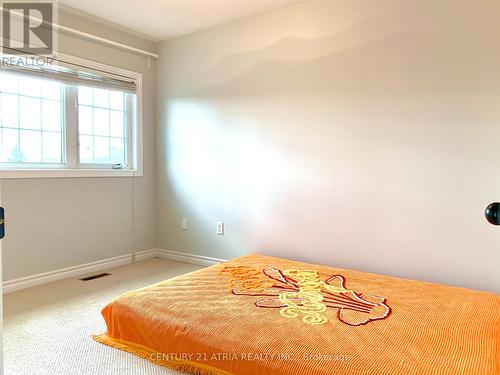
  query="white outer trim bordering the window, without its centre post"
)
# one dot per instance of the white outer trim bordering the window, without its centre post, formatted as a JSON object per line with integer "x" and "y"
{"x": 64, "y": 171}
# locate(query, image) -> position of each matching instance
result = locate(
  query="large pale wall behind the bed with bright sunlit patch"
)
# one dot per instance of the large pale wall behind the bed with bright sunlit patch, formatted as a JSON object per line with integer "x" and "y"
{"x": 361, "y": 134}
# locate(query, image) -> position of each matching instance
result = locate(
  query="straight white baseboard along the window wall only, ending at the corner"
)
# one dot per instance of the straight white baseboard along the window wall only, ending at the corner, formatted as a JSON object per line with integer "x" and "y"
{"x": 65, "y": 273}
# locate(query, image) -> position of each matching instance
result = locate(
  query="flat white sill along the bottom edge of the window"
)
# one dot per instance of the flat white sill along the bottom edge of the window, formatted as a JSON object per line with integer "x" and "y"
{"x": 67, "y": 173}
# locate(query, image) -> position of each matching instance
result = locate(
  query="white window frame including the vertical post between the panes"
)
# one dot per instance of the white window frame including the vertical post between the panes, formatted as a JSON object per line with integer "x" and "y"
{"x": 71, "y": 167}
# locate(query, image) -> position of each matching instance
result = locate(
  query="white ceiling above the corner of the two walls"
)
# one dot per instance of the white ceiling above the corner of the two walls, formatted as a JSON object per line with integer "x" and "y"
{"x": 165, "y": 19}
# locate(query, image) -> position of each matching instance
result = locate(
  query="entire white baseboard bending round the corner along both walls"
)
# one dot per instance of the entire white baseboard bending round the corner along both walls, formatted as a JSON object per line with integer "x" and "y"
{"x": 100, "y": 265}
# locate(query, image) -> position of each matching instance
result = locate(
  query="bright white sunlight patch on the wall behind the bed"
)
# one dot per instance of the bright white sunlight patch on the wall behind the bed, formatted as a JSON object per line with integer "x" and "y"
{"x": 215, "y": 165}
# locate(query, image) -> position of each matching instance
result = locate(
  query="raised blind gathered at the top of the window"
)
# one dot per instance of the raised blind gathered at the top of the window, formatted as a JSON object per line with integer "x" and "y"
{"x": 73, "y": 74}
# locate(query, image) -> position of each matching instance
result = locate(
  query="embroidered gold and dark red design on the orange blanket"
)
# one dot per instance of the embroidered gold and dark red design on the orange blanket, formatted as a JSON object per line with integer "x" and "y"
{"x": 302, "y": 293}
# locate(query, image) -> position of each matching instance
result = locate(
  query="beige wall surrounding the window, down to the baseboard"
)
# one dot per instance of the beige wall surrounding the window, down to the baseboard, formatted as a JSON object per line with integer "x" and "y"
{"x": 58, "y": 223}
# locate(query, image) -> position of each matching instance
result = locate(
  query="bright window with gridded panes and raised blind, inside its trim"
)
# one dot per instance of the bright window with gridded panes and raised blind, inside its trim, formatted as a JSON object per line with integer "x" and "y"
{"x": 67, "y": 120}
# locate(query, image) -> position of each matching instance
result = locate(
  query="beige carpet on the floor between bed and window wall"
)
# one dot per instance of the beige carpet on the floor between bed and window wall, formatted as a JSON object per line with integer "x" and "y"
{"x": 47, "y": 329}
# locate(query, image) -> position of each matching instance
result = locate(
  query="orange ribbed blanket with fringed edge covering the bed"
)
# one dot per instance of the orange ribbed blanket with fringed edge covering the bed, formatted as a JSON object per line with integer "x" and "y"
{"x": 263, "y": 315}
